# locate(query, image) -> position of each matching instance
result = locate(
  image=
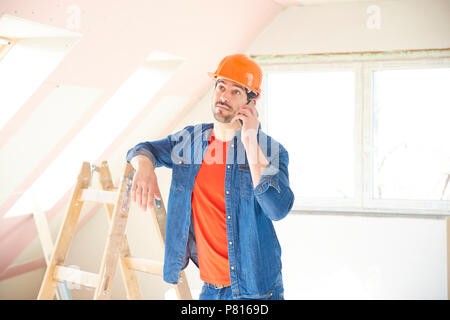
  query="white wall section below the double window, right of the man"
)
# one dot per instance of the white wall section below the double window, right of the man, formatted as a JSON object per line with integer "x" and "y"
{"x": 341, "y": 257}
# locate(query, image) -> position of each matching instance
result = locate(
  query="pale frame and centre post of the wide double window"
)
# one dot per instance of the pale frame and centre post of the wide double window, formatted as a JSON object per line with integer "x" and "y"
{"x": 363, "y": 64}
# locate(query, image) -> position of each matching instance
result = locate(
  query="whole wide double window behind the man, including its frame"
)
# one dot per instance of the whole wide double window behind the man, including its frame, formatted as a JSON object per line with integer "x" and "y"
{"x": 365, "y": 132}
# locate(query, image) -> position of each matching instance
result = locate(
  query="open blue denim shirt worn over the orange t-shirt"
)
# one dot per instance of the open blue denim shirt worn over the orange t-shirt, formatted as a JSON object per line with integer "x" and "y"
{"x": 254, "y": 252}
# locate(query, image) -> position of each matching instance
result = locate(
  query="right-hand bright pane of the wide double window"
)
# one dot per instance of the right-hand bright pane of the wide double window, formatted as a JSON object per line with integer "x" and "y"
{"x": 411, "y": 114}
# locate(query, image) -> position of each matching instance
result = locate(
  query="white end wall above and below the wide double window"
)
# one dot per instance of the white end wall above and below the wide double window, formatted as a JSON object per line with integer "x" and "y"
{"x": 353, "y": 257}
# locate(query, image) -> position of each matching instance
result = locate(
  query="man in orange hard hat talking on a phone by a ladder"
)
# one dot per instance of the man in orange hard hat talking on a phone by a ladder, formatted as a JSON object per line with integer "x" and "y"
{"x": 229, "y": 181}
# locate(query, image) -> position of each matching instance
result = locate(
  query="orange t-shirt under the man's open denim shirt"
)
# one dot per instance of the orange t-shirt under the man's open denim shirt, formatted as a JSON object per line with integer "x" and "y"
{"x": 208, "y": 207}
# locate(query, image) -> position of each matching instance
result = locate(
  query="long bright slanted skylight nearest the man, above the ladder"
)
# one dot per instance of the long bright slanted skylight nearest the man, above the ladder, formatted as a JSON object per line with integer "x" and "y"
{"x": 134, "y": 94}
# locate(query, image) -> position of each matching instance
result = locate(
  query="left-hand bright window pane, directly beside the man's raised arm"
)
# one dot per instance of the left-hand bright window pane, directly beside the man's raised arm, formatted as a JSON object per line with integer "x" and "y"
{"x": 317, "y": 129}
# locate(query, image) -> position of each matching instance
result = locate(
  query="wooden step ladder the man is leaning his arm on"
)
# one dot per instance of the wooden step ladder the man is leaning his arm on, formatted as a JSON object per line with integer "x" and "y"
{"x": 117, "y": 204}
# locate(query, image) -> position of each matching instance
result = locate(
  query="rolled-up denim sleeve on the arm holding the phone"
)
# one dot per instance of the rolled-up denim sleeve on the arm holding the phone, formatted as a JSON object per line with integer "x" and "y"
{"x": 273, "y": 192}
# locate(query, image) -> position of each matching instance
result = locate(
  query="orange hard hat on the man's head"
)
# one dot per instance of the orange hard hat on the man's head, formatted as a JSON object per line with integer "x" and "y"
{"x": 241, "y": 69}
